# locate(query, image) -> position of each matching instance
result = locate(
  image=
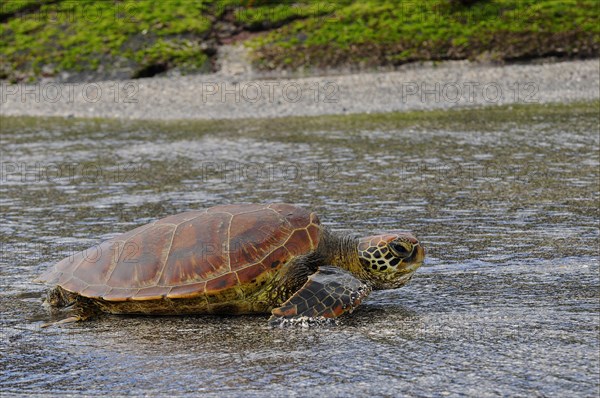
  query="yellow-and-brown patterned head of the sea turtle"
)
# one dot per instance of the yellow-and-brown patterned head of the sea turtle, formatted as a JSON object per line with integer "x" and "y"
{"x": 390, "y": 259}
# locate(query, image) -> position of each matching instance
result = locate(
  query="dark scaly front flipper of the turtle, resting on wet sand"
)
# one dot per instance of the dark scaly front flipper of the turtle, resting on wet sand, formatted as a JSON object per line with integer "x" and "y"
{"x": 328, "y": 293}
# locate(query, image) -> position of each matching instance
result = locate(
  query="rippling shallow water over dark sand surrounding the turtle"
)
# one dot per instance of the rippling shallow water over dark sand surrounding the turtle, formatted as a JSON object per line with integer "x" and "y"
{"x": 505, "y": 200}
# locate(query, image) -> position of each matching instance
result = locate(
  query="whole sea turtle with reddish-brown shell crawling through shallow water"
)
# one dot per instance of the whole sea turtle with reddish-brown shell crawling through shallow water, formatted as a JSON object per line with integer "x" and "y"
{"x": 233, "y": 259}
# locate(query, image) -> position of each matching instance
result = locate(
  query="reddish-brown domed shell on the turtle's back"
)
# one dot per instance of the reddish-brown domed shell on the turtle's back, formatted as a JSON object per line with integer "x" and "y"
{"x": 190, "y": 254}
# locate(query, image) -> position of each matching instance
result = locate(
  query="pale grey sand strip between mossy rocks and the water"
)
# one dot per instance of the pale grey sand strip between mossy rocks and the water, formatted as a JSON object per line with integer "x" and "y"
{"x": 244, "y": 95}
